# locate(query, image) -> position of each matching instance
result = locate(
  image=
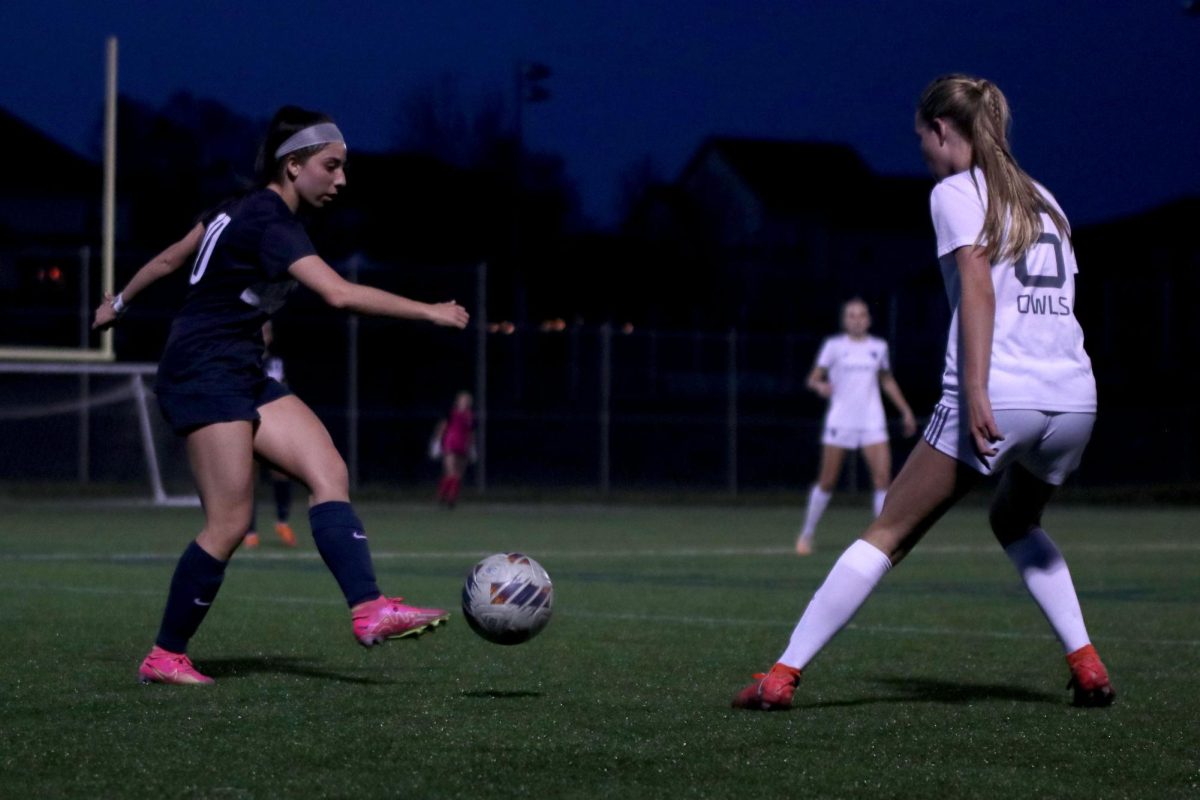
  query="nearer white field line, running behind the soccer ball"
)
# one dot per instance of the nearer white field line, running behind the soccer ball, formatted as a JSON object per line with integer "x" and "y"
{"x": 645, "y": 619}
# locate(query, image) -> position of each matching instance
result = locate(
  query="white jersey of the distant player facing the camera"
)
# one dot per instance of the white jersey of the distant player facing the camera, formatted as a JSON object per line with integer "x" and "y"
{"x": 854, "y": 368}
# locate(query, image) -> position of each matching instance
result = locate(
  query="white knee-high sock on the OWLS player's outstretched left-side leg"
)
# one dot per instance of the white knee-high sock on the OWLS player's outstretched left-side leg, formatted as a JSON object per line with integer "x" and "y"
{"x": 845, "y": 590}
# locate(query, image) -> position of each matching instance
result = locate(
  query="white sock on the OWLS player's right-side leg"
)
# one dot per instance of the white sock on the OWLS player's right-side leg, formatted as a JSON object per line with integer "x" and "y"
{"x": 1046, "y": 575}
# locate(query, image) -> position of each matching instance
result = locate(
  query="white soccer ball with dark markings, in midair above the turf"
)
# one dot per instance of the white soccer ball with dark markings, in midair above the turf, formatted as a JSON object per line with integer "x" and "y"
{"x": 508, "y": 598}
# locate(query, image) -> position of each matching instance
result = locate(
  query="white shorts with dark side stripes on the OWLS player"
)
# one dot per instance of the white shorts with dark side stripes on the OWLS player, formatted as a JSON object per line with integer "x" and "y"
{"x": 1049, "y": 444}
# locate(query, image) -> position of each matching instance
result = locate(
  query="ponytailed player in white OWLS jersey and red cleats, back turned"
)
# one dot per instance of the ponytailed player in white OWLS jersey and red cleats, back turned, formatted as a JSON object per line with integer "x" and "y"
{"x": 1019, "y": 398}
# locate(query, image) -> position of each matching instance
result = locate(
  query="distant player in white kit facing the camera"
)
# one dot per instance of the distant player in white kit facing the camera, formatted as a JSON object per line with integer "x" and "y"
{"x": 850, "y": 372}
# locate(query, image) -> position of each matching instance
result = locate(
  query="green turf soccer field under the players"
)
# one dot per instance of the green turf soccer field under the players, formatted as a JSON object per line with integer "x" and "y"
{"x": 949, "y": 684}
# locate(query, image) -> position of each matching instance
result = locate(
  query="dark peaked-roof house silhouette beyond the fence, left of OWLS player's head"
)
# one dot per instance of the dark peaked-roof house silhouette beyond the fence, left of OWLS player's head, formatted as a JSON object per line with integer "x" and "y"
{"x": 783, "y": 232}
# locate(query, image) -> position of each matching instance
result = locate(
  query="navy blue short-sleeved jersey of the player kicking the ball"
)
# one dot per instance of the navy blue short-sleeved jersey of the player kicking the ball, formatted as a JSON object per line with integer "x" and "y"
{"x": 239, "y": 279}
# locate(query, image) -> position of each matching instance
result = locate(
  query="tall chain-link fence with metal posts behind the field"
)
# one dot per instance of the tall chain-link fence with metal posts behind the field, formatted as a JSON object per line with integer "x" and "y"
{"x": 560, "y": 405}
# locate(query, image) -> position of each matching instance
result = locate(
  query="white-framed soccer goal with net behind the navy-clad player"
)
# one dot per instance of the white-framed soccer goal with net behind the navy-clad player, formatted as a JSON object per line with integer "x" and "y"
{"x": 89, "y": 425}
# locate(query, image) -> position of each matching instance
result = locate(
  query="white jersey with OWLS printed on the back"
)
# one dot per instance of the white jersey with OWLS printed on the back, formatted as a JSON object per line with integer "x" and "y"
{"x": 1037, "y": 348}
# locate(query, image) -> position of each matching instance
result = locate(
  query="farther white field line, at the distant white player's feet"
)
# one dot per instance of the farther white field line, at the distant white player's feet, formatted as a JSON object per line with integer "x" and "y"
{"x": 608, "y": 554}
